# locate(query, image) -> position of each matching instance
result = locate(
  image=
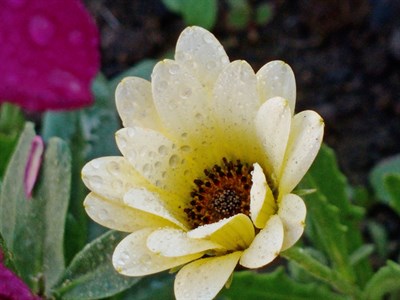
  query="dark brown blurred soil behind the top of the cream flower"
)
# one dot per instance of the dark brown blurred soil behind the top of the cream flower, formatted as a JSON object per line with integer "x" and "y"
{"x": 345, "y": 55}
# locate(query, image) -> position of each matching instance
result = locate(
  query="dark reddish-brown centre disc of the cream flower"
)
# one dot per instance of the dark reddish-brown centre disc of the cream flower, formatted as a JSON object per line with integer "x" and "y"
{"x": 222, "y": 193}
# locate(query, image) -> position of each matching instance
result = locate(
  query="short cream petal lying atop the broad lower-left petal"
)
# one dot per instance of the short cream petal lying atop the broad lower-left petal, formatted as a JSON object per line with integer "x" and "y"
{"x": 172, "y": 242}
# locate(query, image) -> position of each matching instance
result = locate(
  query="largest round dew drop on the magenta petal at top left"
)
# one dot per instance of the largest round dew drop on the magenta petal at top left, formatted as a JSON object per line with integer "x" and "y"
{"x": 41, "y": 30}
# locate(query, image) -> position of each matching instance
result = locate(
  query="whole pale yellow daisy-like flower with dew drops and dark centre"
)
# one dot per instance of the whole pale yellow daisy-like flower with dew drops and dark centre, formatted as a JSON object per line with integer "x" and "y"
{"x": 211, "y": 152}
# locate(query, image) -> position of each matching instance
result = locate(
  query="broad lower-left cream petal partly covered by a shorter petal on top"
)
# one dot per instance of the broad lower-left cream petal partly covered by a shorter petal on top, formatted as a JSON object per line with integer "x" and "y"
{"x": 132, "y": 257}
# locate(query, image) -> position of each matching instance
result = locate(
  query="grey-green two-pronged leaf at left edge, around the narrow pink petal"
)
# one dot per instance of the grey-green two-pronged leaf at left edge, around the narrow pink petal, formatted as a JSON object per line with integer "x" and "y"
{"x": 34, "y": 228}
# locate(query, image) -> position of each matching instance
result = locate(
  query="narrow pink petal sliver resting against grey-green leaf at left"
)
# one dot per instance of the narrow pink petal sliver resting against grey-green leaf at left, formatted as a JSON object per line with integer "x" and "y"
{"x": 33, "y": 165}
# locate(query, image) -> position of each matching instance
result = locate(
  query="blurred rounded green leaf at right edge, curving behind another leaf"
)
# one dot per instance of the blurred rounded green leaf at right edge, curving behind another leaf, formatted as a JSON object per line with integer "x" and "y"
{"x": 387, "y": 166}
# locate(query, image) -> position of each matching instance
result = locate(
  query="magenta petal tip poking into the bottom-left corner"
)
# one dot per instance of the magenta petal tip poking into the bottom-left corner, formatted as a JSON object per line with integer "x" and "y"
{"x": 11, "y": 286}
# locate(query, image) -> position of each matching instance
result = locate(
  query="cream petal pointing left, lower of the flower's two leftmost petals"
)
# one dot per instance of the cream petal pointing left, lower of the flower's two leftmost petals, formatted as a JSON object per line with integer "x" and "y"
{"x": 116, "y": 215}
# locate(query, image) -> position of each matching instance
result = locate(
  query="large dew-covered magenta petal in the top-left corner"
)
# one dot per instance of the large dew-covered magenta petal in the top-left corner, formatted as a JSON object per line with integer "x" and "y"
{"x": 49, "y": 54}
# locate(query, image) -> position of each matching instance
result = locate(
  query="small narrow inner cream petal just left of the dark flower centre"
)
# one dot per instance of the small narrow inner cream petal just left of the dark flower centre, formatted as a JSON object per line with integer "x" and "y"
{"x": 150, "y": 202}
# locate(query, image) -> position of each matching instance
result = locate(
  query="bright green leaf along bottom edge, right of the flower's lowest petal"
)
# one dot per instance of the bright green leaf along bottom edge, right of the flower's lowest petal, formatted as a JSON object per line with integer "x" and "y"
{"x": 276, "y": 285}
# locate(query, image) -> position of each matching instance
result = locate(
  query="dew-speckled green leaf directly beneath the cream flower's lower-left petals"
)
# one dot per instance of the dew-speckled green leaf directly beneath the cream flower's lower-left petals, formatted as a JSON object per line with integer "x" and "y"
{"x": 91, "y": 274}
